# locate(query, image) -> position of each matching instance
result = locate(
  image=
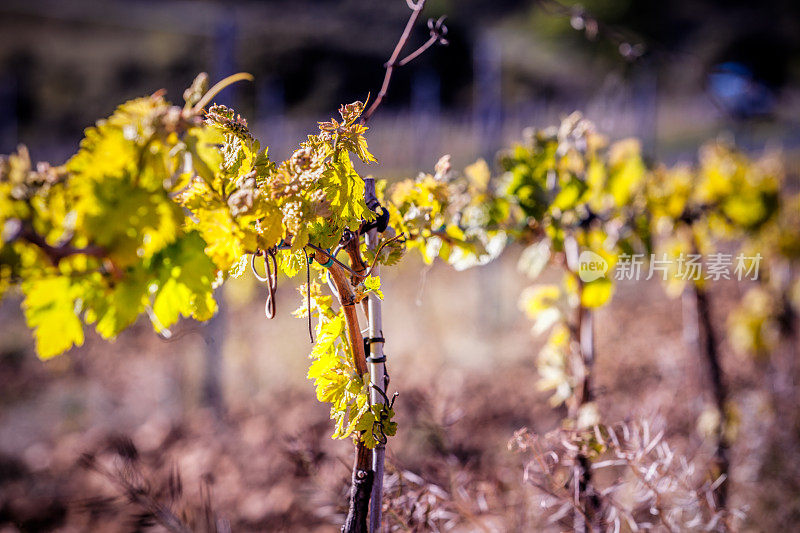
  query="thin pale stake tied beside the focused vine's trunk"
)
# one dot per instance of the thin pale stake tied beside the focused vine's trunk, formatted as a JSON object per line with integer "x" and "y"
{"x": 377, "y": 371}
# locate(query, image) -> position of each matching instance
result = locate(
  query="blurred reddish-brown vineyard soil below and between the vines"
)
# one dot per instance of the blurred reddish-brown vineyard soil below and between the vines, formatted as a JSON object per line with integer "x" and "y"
{"x": 466, "y": 378}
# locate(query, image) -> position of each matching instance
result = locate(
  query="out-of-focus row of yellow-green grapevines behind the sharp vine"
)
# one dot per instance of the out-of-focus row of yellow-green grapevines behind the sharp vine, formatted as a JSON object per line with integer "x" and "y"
{"x": 566, "y": 191}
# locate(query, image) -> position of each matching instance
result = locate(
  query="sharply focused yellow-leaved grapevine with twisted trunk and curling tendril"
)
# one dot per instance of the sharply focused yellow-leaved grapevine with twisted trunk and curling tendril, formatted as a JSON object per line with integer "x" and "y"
{"x": 162, "y": 203}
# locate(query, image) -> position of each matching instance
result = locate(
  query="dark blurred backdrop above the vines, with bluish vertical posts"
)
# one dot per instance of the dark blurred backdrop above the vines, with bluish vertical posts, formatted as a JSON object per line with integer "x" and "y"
{"x": 64, "y": 64}
